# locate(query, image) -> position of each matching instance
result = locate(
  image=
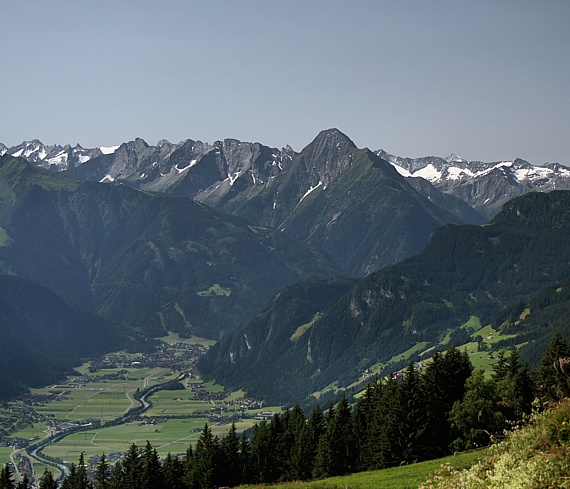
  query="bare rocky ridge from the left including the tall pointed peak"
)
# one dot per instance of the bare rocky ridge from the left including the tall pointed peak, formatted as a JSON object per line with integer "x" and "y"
{"x": 333, "y": 195}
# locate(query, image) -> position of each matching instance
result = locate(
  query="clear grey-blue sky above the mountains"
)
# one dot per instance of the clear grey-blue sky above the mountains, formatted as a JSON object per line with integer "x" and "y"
{"x": 488, "y": 80}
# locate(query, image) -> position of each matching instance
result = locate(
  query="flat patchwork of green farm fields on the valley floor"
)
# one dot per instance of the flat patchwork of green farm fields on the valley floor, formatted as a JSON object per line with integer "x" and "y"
{"x": 104, "y": 389}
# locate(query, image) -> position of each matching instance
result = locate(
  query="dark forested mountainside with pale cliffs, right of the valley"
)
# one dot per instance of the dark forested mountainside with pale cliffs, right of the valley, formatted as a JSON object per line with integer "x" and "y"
{"x": 464, "y": 271}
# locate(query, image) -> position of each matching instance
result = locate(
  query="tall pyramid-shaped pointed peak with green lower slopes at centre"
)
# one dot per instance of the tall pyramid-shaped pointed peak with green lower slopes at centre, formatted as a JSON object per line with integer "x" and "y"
{"x": 347, "y": 201}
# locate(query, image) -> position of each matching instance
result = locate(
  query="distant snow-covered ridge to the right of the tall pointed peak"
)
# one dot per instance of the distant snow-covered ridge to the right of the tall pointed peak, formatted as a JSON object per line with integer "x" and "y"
{"x": 484, "y": 186}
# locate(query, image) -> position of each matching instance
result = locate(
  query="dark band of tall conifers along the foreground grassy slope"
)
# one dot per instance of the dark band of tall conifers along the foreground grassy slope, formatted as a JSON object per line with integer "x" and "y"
{"x": 418, "y": 414}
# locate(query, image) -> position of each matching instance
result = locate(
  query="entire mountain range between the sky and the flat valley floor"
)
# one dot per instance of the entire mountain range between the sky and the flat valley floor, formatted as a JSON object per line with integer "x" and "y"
{"x": 196, "y": 238}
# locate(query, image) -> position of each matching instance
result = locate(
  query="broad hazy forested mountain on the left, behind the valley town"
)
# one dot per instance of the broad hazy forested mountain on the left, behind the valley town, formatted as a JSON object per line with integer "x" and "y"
{"x": 145, "y": 261}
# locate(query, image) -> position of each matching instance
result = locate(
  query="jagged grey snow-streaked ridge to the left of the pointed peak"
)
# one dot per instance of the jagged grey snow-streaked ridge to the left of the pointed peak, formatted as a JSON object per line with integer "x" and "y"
{"x": 186, "y": 168}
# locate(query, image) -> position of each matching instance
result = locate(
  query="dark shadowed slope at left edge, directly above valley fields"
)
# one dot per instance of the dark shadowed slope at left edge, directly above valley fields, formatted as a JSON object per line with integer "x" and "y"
{"x": 42, "y": 336}
